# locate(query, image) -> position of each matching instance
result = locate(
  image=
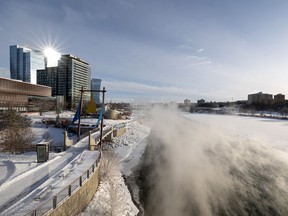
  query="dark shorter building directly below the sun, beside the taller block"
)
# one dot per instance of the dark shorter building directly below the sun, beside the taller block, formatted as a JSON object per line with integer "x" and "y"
{"x": 49, "y": 77}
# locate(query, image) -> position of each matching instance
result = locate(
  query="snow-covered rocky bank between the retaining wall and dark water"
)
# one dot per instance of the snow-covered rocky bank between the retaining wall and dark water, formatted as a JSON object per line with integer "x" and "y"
{"x": 129, "y": 148}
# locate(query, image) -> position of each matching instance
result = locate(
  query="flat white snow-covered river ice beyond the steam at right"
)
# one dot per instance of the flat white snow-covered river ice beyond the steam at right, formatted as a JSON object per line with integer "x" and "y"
{"x": 269, "y": 131}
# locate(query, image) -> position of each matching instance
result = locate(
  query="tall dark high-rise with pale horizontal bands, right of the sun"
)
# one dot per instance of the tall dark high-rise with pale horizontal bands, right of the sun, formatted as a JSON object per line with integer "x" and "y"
{"x": 73, "y": 73}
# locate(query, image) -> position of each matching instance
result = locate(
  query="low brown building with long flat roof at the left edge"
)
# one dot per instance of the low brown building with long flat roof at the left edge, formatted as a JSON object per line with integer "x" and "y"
{"x": 16, "y": 94}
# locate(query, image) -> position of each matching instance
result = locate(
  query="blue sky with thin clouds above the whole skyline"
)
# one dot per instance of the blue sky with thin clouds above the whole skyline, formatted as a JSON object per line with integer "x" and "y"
{"x": 161, "y": 50}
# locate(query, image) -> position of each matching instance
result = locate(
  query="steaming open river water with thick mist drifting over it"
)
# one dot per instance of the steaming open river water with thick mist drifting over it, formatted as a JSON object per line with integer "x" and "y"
{"x": 192, "y": 169}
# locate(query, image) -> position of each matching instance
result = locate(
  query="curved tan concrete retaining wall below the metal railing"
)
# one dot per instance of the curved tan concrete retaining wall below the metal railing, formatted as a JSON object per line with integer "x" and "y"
{"x": 78, "y": 201}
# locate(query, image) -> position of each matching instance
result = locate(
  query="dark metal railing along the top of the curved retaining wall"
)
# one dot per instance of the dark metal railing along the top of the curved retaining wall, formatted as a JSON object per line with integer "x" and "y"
{"x": 62, "y": 195}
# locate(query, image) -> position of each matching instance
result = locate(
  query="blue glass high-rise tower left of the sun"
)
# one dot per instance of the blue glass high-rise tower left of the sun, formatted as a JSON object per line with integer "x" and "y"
{"x": 24, "y": 63}
